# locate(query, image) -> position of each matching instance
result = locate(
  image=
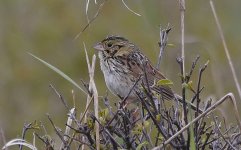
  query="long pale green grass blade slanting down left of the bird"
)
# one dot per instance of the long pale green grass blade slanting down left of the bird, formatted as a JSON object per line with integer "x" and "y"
{"x": 58, "y": 71}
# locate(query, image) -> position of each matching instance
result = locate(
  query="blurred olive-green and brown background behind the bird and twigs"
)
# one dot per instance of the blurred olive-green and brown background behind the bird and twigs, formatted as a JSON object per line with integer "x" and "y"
{"x": 48, "y": 30}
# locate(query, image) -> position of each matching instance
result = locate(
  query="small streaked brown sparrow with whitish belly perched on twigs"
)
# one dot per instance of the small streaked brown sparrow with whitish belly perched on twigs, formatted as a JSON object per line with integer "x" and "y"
{"x": 123, "y": 64}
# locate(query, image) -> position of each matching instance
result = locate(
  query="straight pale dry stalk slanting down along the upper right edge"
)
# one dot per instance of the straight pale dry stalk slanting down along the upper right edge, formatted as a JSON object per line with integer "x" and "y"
{"x": 226, "y": 49}
